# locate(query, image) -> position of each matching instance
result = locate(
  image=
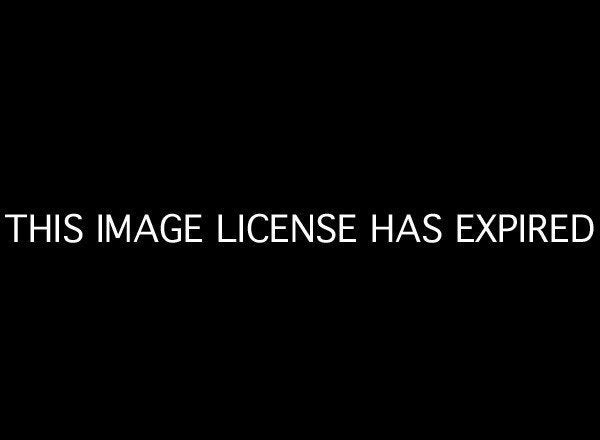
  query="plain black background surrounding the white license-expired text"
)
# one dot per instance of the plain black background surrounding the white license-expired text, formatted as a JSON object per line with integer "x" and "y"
{"x": 368, "y": 113}
